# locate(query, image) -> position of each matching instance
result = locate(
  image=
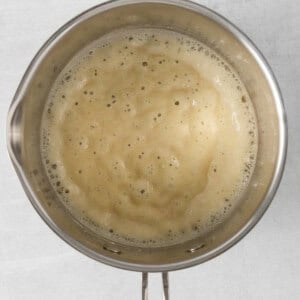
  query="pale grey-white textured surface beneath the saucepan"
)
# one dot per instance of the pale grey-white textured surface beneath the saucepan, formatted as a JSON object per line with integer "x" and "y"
{"x": 36, "y": 264}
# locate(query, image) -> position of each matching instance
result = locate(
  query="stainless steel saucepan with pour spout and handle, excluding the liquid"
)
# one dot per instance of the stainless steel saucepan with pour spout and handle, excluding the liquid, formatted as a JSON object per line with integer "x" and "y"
{"x": 24, "y": 118}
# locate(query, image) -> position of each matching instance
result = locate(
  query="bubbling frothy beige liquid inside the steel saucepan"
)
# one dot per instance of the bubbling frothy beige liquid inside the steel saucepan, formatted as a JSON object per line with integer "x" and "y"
{"x": 149, "y": 137}
